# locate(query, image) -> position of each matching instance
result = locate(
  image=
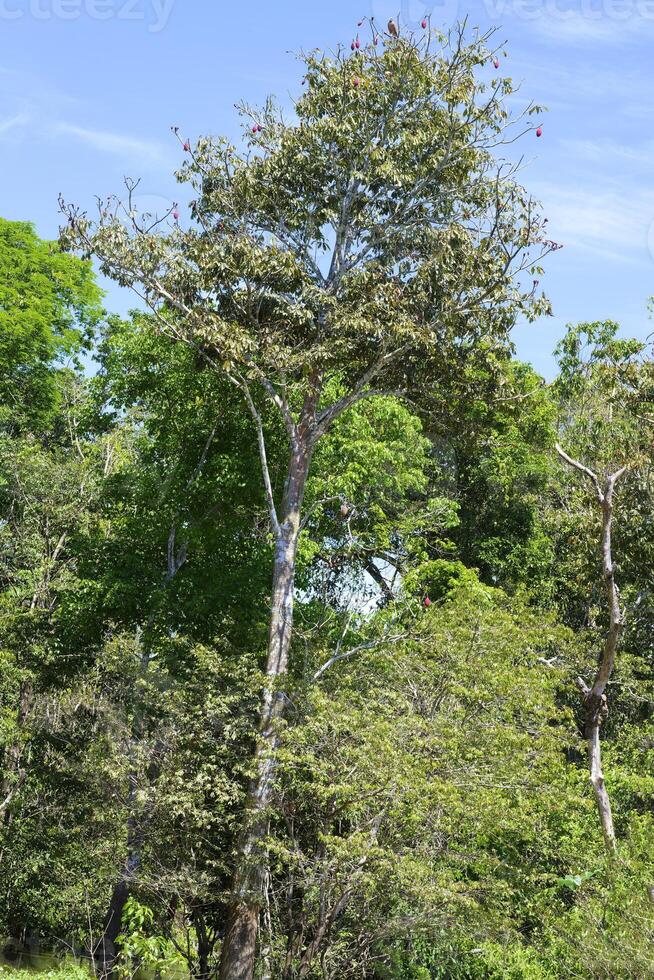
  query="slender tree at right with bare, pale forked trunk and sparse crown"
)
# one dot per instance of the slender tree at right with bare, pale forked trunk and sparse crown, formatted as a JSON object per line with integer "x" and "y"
{"x": 605, "y": 394}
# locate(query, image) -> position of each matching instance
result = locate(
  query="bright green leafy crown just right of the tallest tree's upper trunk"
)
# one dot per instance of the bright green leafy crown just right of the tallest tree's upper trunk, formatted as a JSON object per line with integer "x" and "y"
{"x": 369, "y": 501}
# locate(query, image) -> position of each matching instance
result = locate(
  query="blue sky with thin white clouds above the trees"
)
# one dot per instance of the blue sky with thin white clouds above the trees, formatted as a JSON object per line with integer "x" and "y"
{"x": 90, "y": 88}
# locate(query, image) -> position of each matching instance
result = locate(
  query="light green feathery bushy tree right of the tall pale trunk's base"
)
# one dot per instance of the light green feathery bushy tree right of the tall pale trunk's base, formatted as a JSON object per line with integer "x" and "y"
{"x": 428, "y": 779}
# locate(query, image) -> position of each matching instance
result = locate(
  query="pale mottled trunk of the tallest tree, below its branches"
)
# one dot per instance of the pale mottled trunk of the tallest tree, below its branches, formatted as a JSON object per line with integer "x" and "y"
{"x": 240, "y": 942}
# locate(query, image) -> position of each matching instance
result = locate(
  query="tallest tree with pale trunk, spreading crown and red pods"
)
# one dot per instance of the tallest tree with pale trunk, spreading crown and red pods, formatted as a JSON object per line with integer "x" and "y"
{"x": 378, "y": 238}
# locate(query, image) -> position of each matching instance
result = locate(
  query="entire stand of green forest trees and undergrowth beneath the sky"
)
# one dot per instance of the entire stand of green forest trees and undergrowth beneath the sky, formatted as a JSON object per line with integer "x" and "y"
{"x": 301, "y": 609}
